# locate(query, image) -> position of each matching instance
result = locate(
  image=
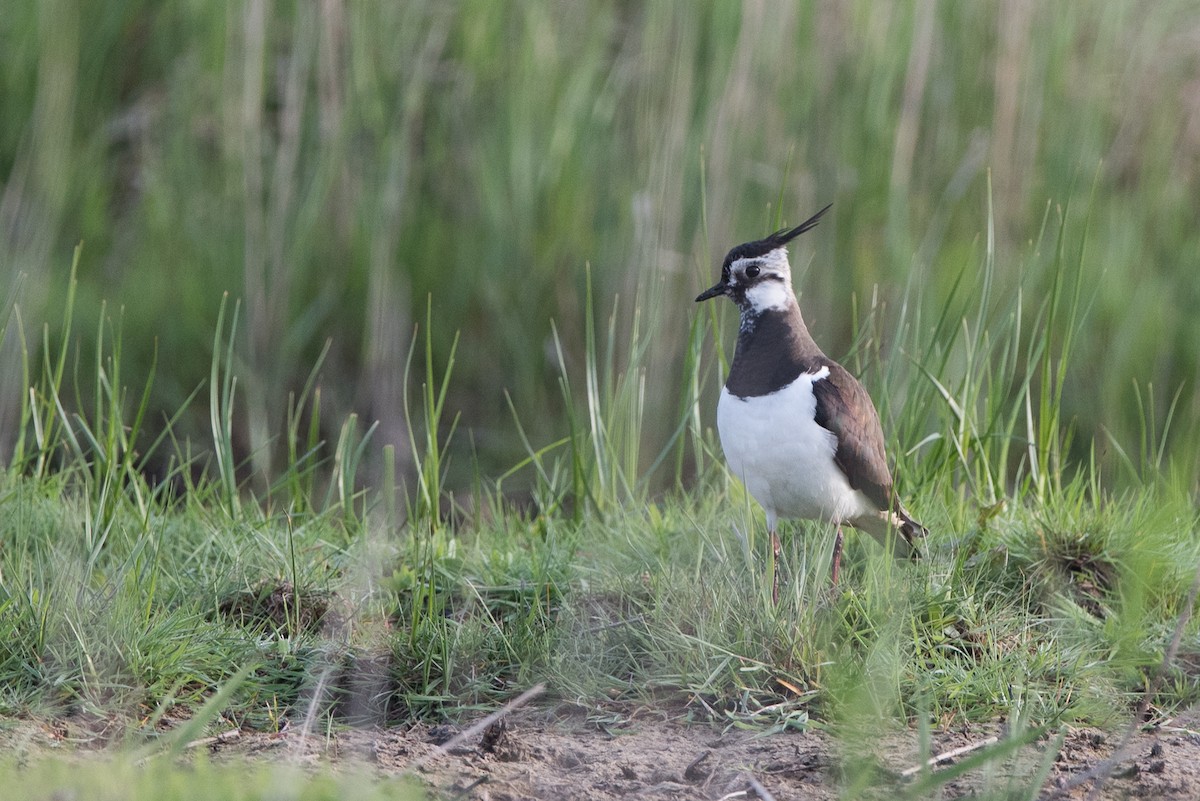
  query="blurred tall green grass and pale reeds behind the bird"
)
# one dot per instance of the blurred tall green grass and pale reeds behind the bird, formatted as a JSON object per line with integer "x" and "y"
{"x": 337, "y": 166}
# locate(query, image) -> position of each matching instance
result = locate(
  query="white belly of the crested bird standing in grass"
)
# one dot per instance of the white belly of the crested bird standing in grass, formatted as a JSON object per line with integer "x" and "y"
{"x": 773, "y": 444}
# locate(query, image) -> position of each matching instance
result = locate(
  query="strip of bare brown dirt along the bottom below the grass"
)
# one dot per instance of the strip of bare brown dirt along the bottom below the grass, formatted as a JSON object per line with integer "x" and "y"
{"x": 567, "y": 755}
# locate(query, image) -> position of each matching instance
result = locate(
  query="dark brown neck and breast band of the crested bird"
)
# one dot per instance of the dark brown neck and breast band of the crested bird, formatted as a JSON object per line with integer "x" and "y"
{"x": 775, "y": 347}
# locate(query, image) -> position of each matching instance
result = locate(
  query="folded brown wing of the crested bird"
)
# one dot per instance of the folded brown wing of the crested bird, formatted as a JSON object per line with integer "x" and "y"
{"x": 845, "y": 409}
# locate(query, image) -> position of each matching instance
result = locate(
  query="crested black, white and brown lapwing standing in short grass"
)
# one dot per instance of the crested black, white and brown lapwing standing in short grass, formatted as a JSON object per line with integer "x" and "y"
{"x": 797, "y": 429}
